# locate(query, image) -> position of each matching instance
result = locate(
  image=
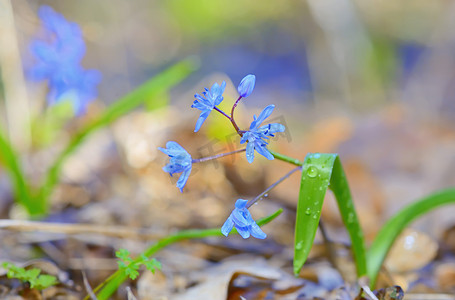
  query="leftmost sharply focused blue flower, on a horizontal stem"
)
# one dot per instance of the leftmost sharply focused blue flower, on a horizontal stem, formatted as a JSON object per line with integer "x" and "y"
{"x": 180, "y": 162}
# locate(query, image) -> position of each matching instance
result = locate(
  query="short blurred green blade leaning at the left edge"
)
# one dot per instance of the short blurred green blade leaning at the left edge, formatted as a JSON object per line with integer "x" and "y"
{"x": 10, "y": 161}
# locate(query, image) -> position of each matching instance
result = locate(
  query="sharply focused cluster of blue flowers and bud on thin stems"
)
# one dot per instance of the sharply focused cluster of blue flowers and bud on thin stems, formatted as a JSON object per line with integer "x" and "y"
{"x": 256, "y": 138}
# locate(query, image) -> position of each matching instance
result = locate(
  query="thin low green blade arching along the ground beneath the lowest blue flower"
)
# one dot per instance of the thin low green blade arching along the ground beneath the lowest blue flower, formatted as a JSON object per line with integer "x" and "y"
{"x": 110, "y": 285}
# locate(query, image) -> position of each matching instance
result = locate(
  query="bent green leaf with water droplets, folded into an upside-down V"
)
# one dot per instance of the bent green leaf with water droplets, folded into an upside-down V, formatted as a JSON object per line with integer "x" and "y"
{"x": 318, "y": 171}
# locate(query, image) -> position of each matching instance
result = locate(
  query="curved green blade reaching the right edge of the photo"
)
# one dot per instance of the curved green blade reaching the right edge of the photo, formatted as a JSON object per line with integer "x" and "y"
{"x": 390, "y": 231}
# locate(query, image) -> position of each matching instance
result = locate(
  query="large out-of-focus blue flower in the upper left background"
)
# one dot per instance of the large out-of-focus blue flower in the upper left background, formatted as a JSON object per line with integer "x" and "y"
{"x": 58, "y": 61}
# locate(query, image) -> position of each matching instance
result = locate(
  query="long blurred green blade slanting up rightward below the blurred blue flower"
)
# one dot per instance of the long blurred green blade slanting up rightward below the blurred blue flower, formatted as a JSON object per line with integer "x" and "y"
{"x": 152, "y": 89}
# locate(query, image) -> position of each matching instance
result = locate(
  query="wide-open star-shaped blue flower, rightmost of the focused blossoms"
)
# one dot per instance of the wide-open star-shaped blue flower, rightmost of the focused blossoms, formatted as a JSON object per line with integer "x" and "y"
{"x": 256, "y": 135}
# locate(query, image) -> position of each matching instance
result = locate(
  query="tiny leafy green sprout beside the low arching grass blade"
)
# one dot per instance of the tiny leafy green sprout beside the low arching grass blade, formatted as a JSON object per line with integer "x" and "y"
{"x": 130, "y": 267}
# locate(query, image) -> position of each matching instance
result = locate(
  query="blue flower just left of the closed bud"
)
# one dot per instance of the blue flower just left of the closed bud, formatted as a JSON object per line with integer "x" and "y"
{"x": 207, "y": 102}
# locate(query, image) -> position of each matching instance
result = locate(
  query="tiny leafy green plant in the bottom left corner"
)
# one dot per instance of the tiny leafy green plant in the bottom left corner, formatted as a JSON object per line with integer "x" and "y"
{"x": 32, "y": 276}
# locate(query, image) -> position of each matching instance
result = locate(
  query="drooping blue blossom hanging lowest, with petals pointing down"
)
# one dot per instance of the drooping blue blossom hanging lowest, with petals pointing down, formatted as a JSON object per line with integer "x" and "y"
{"x": 243, "y": 222}
